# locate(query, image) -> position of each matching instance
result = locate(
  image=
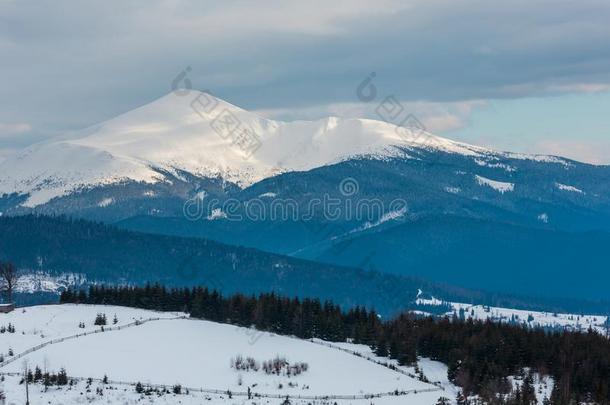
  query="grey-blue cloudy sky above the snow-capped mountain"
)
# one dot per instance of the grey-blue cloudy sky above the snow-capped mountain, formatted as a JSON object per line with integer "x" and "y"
{"x": 520, "y": 75}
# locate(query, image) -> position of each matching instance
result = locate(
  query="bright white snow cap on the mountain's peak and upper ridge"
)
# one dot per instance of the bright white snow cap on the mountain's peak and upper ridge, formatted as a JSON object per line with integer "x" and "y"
{"x": 177, "y": 134}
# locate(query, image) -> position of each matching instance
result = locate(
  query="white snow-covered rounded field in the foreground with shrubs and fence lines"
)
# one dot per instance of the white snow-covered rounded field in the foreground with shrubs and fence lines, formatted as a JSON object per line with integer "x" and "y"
{"x": 197, "y": 355}
